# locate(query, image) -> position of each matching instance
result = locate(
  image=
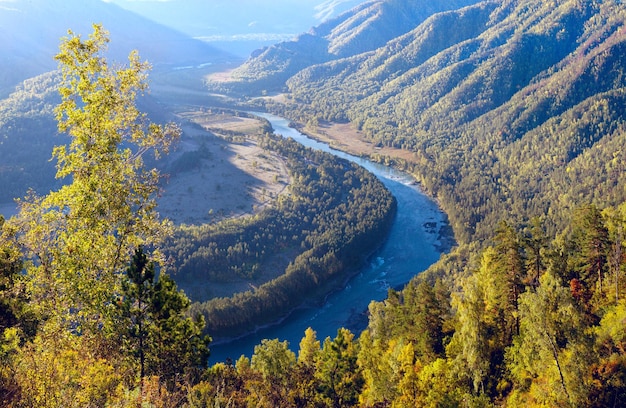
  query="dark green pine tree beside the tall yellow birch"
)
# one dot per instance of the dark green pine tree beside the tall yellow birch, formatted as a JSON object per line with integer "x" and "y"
{"x": 153, "y": 326}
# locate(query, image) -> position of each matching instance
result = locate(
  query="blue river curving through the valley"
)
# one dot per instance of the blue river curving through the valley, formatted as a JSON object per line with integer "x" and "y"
{"x": 413, "y": 244}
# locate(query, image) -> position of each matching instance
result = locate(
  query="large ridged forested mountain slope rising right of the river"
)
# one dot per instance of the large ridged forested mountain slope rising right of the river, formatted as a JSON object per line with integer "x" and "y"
{"x": 511, "y": 108}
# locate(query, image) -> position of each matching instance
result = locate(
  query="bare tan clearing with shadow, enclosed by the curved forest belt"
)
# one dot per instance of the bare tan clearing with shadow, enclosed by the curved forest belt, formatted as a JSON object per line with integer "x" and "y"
{"x": 211, "y": 178}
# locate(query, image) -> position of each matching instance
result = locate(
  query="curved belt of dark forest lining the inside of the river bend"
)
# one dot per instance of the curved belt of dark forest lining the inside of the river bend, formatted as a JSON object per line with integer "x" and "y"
{"x": 329, "y": 222}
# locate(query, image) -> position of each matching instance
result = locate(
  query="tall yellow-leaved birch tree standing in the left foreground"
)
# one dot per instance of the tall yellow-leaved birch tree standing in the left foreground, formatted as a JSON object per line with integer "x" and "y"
{"x": 79, "y": 239}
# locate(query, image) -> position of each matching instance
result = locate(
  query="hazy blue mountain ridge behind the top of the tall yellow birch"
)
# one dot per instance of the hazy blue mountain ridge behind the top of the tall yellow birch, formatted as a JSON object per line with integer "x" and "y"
{"x": 30, "y": 33}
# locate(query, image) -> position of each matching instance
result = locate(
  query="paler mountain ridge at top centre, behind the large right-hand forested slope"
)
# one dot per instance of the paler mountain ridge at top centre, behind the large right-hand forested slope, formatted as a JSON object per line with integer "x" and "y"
{"x": 361, "y": 29}
